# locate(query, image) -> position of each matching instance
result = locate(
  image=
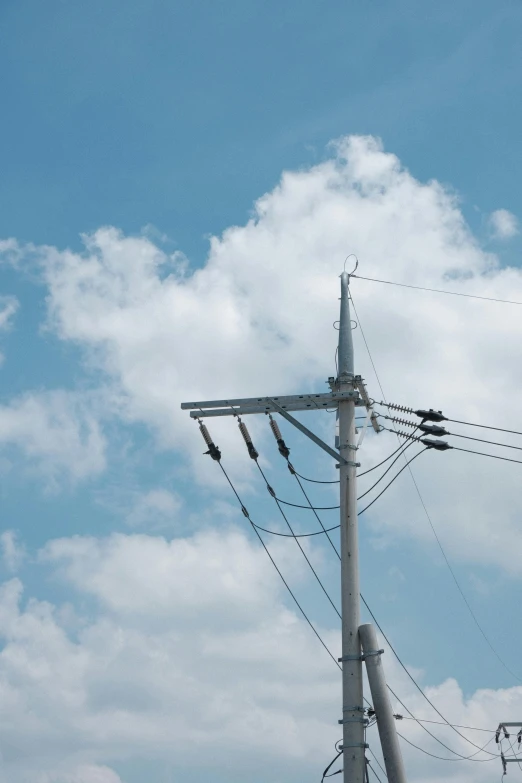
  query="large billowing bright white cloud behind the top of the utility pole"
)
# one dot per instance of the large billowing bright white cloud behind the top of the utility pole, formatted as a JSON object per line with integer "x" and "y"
{"x": 257, "y": 319}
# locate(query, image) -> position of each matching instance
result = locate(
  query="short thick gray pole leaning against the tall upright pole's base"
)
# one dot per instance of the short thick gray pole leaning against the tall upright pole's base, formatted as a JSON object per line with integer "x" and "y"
{"x": 381, "y": 704}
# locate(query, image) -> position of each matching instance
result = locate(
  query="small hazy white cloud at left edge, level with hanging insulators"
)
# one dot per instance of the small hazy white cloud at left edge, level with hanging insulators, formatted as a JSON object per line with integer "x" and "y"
{"x": 55, "y": 431}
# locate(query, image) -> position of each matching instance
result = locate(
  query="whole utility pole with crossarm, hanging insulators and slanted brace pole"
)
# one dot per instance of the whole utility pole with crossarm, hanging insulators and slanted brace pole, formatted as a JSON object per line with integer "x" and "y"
{"x": 347, "y": 392}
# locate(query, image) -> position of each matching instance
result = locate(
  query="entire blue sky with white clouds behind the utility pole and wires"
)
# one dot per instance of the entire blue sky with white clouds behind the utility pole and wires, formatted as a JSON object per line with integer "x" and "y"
{"x": 181, "y": 183}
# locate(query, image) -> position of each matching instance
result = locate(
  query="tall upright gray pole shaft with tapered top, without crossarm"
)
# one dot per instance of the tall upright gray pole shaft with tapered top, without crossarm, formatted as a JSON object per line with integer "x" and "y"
{"x": 353, "y": 710}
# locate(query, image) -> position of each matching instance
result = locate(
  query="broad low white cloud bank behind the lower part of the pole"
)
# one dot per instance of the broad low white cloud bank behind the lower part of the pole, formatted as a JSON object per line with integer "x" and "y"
{"x": 166, "y": 660}
